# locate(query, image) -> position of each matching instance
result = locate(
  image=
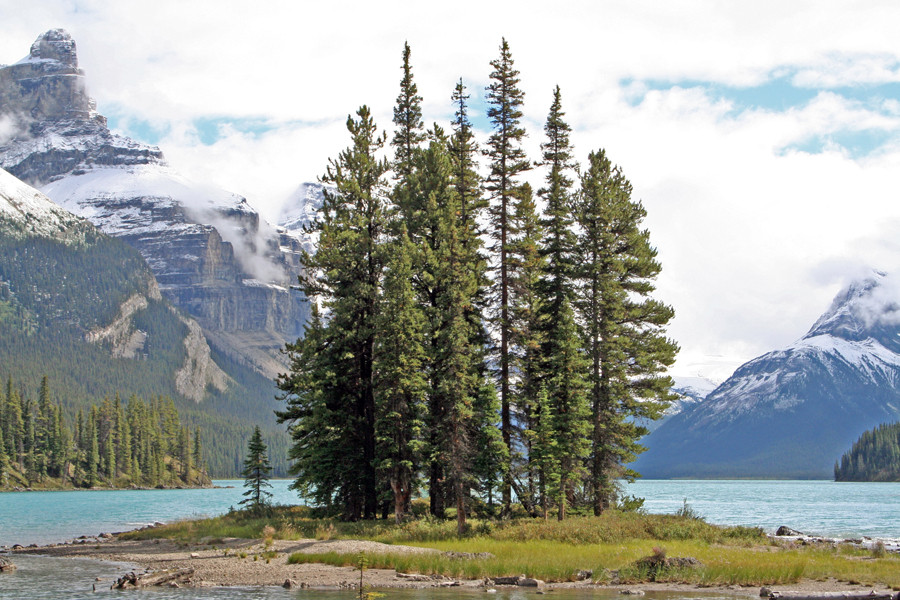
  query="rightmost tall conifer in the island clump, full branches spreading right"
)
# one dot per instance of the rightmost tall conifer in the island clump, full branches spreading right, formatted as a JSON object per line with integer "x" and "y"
{"x": 624, "y": 327}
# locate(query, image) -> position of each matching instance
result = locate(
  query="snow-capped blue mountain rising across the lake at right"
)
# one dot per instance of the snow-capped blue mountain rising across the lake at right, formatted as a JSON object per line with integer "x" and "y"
{"x": 793, "y": 412}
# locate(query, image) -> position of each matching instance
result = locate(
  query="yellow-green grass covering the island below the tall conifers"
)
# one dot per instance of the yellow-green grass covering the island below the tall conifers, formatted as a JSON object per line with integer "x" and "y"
{"x": 609, "y": 546}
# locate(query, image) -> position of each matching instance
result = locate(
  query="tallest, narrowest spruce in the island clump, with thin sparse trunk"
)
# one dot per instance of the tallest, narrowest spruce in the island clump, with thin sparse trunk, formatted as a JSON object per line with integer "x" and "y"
{"x": 507, "y": 163}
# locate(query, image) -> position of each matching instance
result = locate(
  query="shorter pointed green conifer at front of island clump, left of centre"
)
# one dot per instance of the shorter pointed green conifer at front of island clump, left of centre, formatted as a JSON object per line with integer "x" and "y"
{"x": 401, "y": 385}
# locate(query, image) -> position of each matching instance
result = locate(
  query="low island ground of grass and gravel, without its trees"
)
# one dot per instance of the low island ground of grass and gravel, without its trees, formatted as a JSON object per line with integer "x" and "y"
{"x": 621, "y": 550}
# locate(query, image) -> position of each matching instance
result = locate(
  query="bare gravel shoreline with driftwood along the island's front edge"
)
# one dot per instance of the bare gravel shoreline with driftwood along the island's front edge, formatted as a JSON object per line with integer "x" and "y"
{"x": 230, "y": 562}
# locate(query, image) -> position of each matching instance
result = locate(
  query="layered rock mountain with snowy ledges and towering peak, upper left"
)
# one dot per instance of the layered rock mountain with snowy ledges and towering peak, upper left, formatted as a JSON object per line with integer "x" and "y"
{"x": 211, "y": 254}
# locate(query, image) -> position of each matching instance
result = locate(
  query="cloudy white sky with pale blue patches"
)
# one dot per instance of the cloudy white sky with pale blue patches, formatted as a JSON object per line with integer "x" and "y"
{"x": 762, "y": 137}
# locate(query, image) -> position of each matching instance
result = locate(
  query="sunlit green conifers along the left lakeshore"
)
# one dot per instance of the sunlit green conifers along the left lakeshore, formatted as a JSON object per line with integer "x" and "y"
{"x": 113, "y": 444}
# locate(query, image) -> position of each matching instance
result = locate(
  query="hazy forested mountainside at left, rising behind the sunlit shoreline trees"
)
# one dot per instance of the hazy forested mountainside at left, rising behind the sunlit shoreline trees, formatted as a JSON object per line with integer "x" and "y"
{"x": 54, "y": 291}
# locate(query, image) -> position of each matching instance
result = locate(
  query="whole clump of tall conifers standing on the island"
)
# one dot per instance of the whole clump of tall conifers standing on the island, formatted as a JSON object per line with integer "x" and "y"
{"x": 464, "y": 344}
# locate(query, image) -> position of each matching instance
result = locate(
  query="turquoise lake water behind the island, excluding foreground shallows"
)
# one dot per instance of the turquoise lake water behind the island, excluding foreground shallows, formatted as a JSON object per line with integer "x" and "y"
{"x": 815, "y": 507}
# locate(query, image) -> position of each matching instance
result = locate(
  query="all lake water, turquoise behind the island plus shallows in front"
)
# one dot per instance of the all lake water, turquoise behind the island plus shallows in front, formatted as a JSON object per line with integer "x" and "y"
{"x": 814, "y": 507}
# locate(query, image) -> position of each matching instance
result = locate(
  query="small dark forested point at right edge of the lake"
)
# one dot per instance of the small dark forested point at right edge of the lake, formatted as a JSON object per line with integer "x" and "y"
{"x": 875, "y": 456}
